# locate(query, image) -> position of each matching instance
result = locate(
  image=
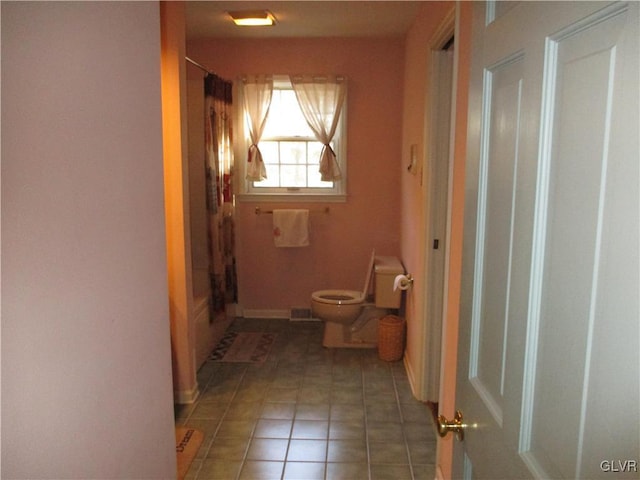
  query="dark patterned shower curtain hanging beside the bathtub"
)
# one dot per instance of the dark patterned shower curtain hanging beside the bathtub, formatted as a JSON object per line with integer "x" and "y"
{"x": 220, "y": 204}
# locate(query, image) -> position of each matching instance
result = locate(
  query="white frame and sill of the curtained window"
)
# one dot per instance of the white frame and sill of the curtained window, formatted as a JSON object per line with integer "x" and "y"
{"x": 248, "y": 192}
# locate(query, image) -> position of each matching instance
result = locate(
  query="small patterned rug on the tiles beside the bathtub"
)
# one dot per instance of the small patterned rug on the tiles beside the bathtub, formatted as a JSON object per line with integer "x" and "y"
{"x": 243, "y": 347}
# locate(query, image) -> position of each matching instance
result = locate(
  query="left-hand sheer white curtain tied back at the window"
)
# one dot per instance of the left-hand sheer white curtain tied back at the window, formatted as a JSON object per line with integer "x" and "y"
{"x": 256, "y": 94}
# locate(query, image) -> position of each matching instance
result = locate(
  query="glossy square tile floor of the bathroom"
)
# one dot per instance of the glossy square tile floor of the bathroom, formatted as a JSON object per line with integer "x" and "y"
{"x": 309, "y": 413}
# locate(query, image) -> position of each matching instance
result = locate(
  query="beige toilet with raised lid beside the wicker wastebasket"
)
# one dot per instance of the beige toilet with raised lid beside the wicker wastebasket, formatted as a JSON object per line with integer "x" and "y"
{"x": 350, "y": 316}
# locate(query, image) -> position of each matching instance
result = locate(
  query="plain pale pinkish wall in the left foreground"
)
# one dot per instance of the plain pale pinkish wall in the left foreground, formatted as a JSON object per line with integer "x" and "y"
{"x": 86, "y": 362}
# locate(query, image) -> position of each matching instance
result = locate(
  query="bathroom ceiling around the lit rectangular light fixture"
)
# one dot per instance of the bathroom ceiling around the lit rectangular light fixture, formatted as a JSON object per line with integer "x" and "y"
{"x": 303, "y": 18}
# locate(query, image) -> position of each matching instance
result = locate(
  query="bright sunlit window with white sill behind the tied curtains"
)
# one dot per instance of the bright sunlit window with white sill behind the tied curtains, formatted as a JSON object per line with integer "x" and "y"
{"x": 291, "y": 152}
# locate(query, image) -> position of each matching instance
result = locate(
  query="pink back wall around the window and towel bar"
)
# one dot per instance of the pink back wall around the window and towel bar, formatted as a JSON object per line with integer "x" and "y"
{"x": 271, "y": 278}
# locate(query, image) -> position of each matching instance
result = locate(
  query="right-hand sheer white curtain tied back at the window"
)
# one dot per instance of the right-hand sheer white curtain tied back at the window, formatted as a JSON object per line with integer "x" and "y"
{"x": 321, "y": 101}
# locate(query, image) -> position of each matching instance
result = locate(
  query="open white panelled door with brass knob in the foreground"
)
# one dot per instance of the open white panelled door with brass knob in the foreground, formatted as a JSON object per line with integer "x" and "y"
{"x": 548, "y": 367}
